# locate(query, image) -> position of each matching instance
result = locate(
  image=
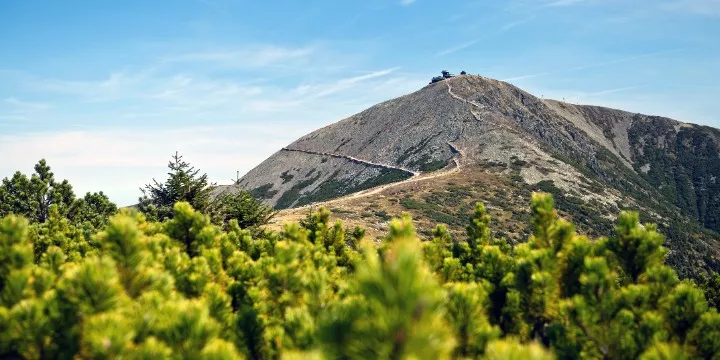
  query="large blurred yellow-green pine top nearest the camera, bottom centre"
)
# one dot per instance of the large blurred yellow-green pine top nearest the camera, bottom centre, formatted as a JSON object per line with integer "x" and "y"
{"x": 394, "y": 309}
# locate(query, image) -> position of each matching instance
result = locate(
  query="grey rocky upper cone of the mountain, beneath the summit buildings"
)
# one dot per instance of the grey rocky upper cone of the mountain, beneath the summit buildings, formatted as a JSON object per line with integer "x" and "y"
{"x": 488, "y": 119}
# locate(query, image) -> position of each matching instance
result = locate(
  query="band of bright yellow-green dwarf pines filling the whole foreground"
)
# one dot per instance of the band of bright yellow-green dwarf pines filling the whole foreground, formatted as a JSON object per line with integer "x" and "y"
{"x": 186, "y": 288}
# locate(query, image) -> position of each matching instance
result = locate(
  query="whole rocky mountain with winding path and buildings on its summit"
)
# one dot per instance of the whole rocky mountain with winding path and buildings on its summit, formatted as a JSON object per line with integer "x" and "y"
{"x": 470, "y": 138}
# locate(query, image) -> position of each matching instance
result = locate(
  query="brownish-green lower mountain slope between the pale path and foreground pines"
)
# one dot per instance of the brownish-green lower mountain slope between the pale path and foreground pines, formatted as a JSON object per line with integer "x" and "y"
{"x": 450, "y": 200}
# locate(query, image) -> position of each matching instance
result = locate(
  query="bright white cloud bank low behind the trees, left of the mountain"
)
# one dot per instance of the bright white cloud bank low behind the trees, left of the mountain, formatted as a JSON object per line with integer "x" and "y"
{"x": 119, "y": 161}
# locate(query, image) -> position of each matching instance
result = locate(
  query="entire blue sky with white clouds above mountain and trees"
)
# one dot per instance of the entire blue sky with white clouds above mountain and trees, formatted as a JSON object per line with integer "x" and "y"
{"x": 107, "y": 91}
